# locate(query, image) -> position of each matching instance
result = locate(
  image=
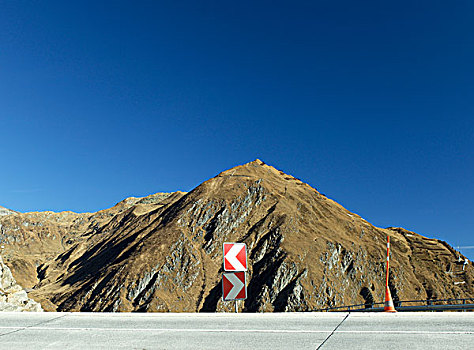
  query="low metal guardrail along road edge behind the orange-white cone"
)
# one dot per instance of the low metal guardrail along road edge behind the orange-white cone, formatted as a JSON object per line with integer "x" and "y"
{"x": 408, "y": 305}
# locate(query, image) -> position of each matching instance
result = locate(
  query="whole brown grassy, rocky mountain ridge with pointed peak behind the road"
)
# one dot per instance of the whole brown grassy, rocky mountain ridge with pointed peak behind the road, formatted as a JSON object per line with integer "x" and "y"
{"x": 164, "y": 252}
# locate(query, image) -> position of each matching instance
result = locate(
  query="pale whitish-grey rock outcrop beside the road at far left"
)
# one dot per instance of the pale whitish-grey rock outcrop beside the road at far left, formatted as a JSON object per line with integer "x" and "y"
{"x": 12, "y": 296}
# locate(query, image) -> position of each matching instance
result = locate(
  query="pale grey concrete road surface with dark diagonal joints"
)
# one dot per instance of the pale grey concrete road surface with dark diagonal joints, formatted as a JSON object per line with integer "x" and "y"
{"x": 435, "y": 330}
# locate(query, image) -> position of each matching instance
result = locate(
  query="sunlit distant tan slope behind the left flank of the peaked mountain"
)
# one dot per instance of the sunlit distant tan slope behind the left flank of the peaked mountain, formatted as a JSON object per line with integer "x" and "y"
{"x": 28, "y": 240}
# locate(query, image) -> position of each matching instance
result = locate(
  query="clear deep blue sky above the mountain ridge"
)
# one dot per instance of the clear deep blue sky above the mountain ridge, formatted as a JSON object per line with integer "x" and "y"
{"x": 370, "y": 102}
